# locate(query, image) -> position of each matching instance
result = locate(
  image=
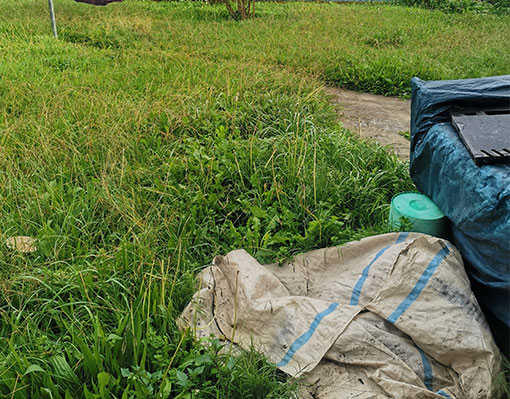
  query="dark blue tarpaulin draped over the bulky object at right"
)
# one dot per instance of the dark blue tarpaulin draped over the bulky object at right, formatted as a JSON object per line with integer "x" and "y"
{"x": 476, "y": 199}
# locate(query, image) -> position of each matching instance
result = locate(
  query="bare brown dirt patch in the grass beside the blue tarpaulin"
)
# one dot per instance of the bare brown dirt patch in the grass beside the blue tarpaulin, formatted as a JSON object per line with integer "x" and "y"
{"x": 375, "y": 117}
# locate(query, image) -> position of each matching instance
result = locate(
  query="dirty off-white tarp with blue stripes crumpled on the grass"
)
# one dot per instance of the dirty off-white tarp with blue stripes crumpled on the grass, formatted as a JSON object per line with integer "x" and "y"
{"x": 390, "y": 316}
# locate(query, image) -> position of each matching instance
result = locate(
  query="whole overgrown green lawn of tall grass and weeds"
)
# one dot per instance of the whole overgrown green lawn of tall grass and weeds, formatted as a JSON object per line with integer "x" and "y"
{"x": 152, "y": 136}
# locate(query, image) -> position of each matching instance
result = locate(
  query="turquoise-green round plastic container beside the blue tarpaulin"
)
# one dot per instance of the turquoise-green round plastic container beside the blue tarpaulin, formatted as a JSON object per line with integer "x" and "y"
{"x": 421, "y": 212}
